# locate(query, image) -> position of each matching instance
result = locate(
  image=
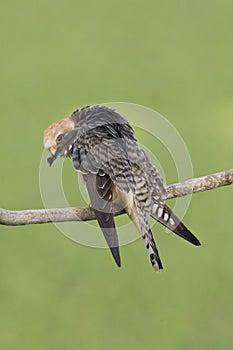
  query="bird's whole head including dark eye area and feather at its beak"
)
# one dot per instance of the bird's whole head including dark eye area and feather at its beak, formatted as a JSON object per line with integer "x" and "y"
{"x": 57, "y": 138}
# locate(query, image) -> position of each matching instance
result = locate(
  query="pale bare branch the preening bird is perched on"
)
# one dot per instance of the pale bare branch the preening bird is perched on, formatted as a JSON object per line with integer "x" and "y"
{"x": 42, "y": 216}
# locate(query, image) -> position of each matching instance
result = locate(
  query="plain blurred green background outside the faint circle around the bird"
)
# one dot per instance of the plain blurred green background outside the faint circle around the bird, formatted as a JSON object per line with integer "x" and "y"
{"x": 172, "y": 56}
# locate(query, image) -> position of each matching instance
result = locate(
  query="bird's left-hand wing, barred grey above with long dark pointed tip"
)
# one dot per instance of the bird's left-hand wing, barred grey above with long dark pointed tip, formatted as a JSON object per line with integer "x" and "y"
{"x": 100, "y": 156}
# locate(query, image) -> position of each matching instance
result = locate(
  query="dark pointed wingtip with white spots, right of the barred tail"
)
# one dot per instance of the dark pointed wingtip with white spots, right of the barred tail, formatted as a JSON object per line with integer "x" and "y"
{"x": 163, "y": 214}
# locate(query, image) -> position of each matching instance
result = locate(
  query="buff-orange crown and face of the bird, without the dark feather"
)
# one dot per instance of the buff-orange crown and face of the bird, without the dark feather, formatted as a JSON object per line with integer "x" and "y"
{"x": 54, "y": 134}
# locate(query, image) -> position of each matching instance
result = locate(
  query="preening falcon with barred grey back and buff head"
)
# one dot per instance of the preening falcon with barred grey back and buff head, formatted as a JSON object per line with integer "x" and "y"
{"x": 116, "y": 172}
